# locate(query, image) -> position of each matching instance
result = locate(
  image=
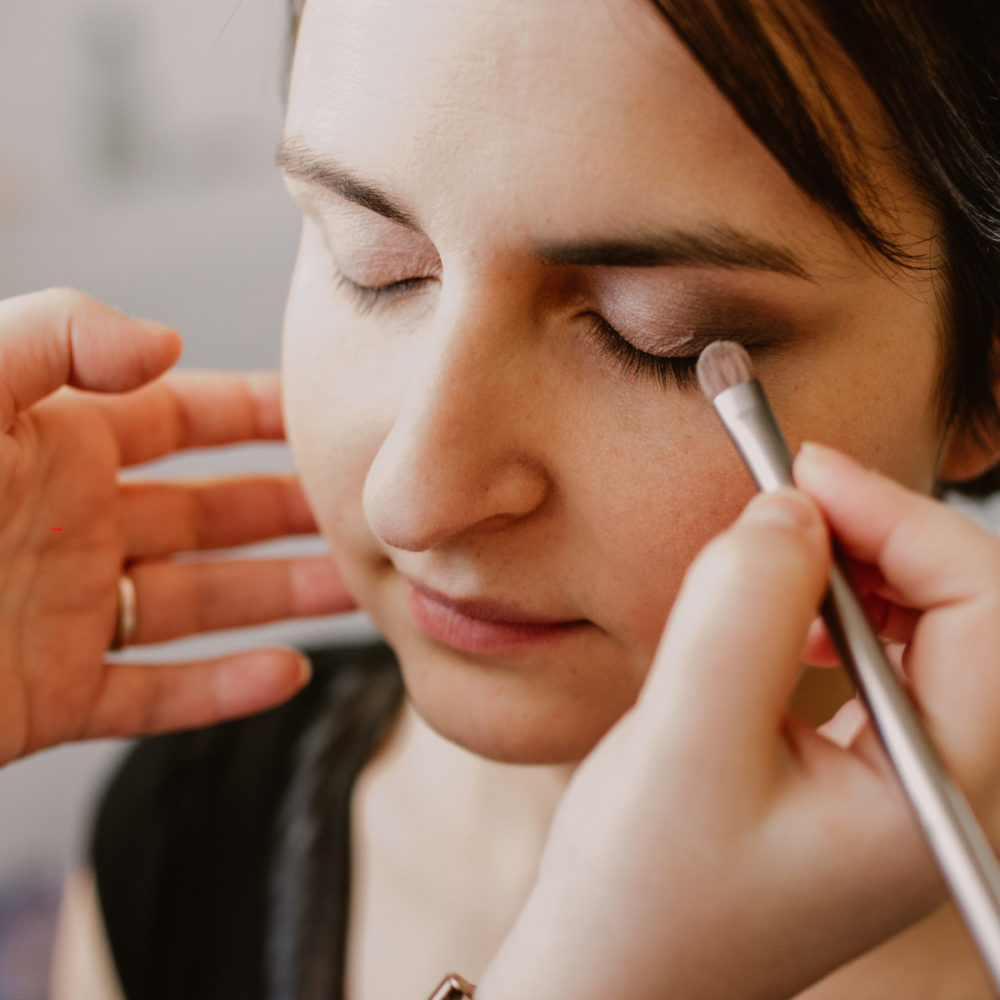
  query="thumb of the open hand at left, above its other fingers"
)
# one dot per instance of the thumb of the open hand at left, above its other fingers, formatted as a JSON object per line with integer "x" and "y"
{"x": 62, "y": 337}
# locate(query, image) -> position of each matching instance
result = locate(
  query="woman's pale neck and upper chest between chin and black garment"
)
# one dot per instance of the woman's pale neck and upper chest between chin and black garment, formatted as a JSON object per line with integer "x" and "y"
{"x": 446, "y": 846}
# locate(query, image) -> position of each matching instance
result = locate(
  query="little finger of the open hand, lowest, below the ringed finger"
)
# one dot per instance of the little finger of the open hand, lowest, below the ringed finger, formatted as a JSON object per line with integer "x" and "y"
{"x": 139, "y": 699}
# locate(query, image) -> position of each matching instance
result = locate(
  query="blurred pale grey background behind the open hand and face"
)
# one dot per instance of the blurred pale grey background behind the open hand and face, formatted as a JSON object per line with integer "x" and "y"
{"x": 136, "y": 163}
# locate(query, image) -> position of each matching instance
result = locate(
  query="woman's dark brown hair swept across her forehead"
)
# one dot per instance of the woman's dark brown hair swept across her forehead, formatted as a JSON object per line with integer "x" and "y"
{"x": 934, "y": 68}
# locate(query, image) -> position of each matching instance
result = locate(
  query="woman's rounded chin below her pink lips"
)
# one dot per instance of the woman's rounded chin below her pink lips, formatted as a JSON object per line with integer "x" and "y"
{"x": 509, "y": 713}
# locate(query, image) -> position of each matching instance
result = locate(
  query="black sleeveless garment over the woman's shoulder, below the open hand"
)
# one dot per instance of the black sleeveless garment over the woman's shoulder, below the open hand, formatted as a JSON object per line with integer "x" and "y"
{"x": 222, "y": 855}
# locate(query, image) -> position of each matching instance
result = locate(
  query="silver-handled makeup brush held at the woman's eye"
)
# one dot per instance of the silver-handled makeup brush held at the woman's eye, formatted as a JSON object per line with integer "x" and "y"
{"x": 961, "y": 848}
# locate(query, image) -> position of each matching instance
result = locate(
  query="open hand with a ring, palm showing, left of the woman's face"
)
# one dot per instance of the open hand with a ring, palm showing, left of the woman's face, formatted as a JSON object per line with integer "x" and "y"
{"x": 67, "y": 528}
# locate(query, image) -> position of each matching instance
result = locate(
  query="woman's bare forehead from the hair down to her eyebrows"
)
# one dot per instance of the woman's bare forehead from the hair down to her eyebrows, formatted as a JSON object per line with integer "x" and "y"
{"x": 533, "y": 102}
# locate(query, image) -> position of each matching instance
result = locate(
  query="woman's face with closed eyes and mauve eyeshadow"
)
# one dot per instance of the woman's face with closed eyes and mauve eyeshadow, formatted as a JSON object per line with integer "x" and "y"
{"x": 512, "y": 489}
